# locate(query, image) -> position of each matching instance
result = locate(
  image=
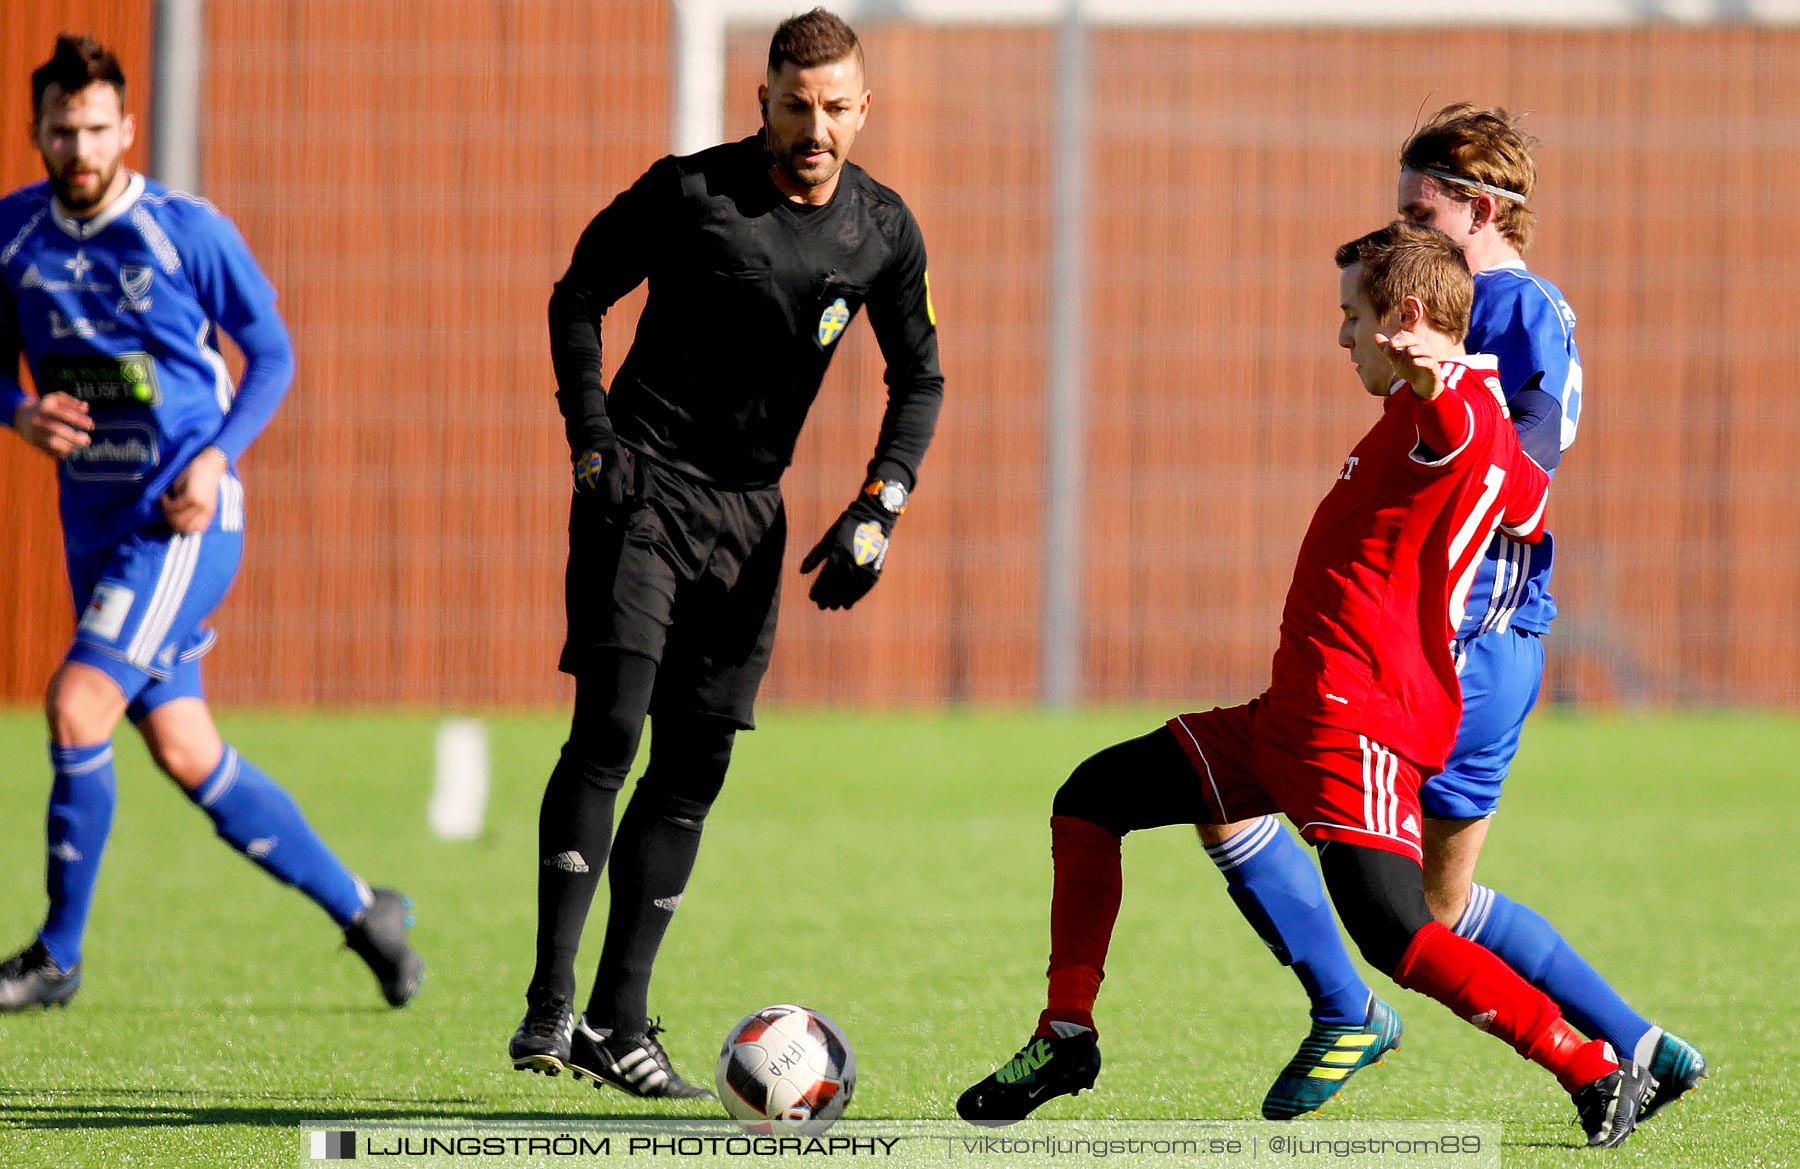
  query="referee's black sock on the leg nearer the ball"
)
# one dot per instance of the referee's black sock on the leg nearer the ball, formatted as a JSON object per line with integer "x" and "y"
{"x": 660, "y": 838}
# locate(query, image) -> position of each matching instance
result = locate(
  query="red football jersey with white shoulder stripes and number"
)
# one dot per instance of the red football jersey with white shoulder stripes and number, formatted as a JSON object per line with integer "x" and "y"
{"x": 1387, "y": 565}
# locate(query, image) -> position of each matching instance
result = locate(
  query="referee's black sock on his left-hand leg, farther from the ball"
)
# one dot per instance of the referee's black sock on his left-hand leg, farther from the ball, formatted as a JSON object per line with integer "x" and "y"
{"x": 575, "y": 820}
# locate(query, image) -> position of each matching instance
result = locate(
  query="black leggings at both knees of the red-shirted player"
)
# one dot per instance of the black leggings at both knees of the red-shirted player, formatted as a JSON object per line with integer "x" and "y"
{"x": 1147, "y": 783}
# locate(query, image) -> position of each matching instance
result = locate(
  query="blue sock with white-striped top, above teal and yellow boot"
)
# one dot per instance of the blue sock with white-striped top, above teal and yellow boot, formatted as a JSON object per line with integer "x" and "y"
{"x": 1279, "y": 891}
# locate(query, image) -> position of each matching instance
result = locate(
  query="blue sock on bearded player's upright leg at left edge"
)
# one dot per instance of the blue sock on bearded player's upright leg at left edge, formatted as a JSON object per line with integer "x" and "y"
{"x": 82, "y": 806}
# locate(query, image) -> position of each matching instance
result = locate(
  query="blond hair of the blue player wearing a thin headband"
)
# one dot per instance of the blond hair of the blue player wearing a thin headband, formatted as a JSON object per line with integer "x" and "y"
{"x": 1484, "y": 147}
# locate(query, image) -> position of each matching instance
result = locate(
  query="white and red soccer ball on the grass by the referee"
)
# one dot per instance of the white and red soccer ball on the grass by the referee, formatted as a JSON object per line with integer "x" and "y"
{"x": 786, "y": 1071}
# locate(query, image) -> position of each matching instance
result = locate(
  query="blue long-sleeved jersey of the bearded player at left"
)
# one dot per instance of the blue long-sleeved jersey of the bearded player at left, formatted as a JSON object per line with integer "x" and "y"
{"x": 120, "y": 311}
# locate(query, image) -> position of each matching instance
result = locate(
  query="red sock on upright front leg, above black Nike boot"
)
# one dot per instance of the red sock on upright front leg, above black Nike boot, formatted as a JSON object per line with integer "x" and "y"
{"x": 1083, "y": 909}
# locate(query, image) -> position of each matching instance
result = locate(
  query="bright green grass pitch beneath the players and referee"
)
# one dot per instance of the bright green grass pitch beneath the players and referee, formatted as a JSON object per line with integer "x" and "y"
{"x": 895, "y": 874}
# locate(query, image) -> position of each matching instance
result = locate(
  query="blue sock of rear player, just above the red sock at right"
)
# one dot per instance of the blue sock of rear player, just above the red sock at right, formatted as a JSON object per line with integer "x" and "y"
{"x": 1533, "y": 947}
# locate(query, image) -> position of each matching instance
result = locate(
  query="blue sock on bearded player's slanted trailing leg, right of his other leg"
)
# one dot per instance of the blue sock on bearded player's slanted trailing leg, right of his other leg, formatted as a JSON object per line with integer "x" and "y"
{"x": 264, "y": 822}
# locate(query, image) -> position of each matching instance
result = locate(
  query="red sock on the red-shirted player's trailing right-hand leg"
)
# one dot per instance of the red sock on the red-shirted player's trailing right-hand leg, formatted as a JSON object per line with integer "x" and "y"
{"x": 1488, "y": 993}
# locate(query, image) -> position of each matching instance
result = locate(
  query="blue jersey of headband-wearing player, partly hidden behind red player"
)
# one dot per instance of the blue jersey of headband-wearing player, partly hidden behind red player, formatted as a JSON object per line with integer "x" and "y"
{"x": 1525, "y": 322}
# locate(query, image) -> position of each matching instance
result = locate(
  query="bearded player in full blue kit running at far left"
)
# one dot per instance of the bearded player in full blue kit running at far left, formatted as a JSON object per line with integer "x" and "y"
{"x": 112, "y": 289}
